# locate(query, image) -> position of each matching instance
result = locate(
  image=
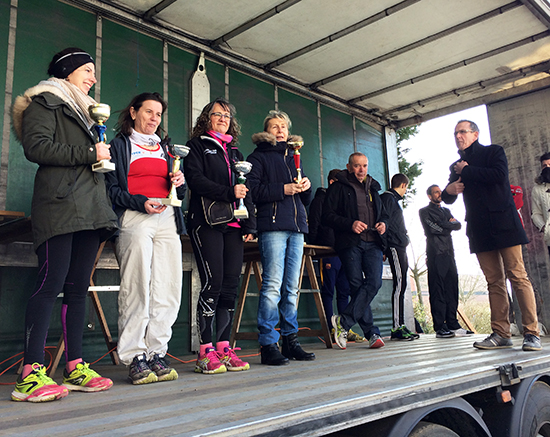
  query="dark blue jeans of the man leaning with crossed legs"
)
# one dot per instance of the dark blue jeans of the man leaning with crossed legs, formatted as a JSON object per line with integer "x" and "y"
{"x": 363, "y": 266}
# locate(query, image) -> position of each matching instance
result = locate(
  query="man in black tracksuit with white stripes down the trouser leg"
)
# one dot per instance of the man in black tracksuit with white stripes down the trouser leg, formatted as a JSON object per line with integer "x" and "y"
{"x": 396, "y": 254}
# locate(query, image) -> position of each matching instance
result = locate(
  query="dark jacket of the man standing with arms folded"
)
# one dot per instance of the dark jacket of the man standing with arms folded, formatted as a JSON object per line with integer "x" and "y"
{"x": 438, "y": 228}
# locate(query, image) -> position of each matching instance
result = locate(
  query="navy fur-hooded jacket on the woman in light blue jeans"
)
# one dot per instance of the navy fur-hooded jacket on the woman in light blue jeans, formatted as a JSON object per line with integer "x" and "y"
{"x": 273, "y": 167}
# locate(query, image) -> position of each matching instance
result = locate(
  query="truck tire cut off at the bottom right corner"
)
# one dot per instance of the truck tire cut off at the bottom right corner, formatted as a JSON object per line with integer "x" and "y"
{"x": 535, "y": 421}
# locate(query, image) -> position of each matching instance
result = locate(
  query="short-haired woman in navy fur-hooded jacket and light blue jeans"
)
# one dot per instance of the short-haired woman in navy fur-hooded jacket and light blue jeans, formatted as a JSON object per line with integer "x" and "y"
{"x": 282, "y": 222}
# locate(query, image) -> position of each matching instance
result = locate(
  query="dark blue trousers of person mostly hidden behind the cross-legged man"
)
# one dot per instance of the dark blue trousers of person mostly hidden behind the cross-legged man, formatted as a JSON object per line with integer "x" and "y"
{"x": 334, "y": 277}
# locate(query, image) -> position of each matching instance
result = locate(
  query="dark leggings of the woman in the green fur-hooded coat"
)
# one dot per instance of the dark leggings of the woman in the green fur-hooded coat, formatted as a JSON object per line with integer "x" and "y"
{"x": 65, "y": 265}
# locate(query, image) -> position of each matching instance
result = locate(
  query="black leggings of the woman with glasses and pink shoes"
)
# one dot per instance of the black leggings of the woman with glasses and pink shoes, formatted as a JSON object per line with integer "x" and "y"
{"x": 219, "y": 257}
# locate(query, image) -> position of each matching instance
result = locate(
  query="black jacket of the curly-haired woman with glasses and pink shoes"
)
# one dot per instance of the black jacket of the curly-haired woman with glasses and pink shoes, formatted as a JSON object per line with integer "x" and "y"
{"x": 207, "y": 175}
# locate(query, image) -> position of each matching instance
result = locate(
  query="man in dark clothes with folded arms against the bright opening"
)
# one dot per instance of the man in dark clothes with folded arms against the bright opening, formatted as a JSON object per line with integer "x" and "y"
{"x": 438, "y": 223}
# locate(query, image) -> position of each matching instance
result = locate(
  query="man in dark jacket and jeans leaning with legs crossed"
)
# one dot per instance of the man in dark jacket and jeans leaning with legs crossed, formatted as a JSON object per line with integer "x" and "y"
{"x": 354, "y": 210}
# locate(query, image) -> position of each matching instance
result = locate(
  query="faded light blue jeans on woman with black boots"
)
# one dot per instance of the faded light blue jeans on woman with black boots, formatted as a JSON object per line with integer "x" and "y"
{"x": 281, "y": 253}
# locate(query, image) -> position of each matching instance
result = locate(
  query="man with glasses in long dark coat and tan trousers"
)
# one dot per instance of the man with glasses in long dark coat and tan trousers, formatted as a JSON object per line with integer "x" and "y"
{"x": 495, "y": 233}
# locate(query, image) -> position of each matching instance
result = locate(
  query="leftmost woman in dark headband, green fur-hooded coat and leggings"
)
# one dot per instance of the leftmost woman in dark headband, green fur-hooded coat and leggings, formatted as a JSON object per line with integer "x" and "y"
{"x": 70, "y": 214}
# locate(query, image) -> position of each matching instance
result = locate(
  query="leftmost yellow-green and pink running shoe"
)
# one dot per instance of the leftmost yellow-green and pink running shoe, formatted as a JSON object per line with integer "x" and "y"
{"x": 37, "y": 387}
